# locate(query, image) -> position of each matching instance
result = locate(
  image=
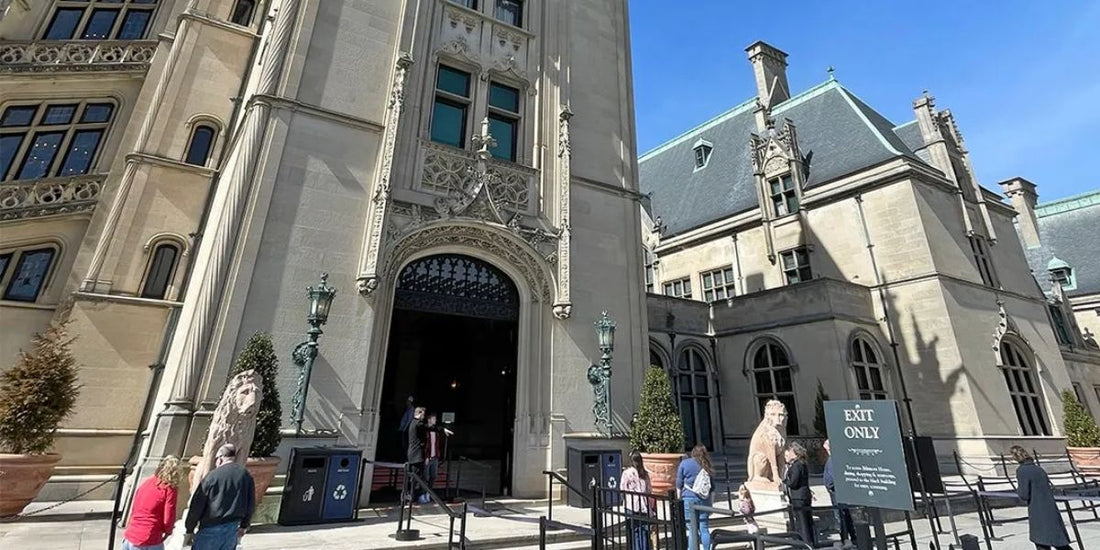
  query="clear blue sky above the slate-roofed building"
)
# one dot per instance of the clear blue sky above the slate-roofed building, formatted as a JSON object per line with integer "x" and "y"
{"x": 1022, "y": 78}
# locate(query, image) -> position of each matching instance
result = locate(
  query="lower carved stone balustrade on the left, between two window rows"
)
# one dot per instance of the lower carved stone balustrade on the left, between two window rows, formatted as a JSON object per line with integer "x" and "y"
{"x": 57, "y": 196}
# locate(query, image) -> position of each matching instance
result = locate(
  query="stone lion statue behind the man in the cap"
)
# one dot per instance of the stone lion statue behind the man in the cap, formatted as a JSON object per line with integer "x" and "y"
{"x": 235, "y": 422}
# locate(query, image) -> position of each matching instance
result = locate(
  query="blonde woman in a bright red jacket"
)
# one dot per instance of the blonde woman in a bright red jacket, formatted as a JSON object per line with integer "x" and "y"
{"x": 153, "y": 513}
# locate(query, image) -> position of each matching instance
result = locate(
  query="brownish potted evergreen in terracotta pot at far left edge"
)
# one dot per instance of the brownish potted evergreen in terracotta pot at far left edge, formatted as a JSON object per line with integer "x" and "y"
{"x": 36, "y": 397}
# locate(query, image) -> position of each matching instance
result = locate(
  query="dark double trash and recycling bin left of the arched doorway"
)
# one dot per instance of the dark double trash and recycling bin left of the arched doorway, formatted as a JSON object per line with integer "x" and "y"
{"x": 322, "y": 486}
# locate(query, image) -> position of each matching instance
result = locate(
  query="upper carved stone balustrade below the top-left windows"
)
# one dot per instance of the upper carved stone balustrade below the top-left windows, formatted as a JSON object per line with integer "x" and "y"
{"x": 48, "y": 56}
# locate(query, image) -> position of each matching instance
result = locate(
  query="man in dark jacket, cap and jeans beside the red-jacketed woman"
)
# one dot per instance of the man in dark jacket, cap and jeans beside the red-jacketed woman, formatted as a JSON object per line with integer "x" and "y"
{"x": 223, "y": 505}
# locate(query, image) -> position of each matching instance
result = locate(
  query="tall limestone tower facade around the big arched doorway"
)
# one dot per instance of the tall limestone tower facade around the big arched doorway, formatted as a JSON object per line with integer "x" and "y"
{"x": 322, "y": 157}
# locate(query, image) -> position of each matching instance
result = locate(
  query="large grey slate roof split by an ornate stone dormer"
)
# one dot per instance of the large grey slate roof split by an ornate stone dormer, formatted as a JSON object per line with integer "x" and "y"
{"x": 839, "y": 135}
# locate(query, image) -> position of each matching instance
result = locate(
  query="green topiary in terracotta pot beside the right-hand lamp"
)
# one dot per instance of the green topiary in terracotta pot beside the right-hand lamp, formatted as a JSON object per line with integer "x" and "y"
{"x": 658, "y": 433}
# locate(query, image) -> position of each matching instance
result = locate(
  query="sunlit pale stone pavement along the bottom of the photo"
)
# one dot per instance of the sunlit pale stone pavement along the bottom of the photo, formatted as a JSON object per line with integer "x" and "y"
{"x": 84, "y": 526}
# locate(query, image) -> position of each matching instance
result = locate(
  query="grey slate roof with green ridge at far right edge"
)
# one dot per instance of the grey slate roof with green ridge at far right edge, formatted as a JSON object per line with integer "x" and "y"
{"x": 1070, "y": 230}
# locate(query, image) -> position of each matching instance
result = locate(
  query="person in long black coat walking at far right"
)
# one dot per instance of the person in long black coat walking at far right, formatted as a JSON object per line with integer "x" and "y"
{"x": 1044, "y": 522}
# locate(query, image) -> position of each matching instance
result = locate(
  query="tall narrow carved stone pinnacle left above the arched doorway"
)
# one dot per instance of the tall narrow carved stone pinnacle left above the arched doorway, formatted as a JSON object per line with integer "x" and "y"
{"x": 367, "y": 282}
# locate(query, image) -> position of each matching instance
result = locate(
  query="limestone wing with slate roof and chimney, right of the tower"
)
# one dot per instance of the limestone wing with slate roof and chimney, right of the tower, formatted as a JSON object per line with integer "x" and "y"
{"x": 826, "y": 246}
